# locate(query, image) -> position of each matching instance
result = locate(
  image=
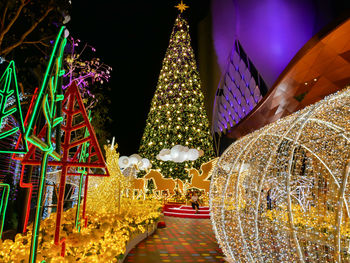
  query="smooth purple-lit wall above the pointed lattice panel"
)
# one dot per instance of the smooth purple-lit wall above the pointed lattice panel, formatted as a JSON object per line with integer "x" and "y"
{"x": 270, "y": 31}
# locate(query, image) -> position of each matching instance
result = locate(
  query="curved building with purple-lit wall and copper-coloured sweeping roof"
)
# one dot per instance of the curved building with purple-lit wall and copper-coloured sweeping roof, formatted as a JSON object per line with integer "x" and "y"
{"x": 294, "y": 54}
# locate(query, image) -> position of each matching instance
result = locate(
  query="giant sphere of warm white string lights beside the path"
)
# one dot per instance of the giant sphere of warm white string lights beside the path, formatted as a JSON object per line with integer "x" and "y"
{"x": 282, "y": 193}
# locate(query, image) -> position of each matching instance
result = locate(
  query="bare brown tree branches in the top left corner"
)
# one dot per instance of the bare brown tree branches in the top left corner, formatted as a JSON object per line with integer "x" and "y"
{"x": 24, "y": 22}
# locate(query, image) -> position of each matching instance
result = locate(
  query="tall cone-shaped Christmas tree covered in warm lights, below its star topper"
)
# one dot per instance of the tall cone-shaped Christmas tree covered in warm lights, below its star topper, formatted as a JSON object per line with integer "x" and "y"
{"x": 177, "y": 115}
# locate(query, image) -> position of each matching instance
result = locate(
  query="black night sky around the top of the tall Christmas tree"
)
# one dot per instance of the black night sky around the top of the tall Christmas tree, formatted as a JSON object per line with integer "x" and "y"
{"x": 131, "y": 37}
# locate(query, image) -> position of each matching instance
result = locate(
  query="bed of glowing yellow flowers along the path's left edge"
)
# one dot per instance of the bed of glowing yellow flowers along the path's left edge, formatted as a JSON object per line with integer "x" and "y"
{"x": 103, "y": 240}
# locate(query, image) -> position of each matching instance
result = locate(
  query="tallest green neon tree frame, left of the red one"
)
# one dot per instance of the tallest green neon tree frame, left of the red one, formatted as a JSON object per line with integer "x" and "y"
{"x": 48, "y": 98}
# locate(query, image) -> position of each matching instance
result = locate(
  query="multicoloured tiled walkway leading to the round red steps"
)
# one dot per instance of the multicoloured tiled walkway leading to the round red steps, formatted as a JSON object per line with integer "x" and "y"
{"x": 183, "y": 240}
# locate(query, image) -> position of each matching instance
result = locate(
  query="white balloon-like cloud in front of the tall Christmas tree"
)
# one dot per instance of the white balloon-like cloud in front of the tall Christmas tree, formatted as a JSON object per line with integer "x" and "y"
{"x": 179, "y": 154}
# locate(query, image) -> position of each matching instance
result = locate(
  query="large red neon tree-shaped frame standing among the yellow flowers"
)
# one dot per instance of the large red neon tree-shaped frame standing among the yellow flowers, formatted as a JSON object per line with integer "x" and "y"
{"x": 75, "y": 122}
